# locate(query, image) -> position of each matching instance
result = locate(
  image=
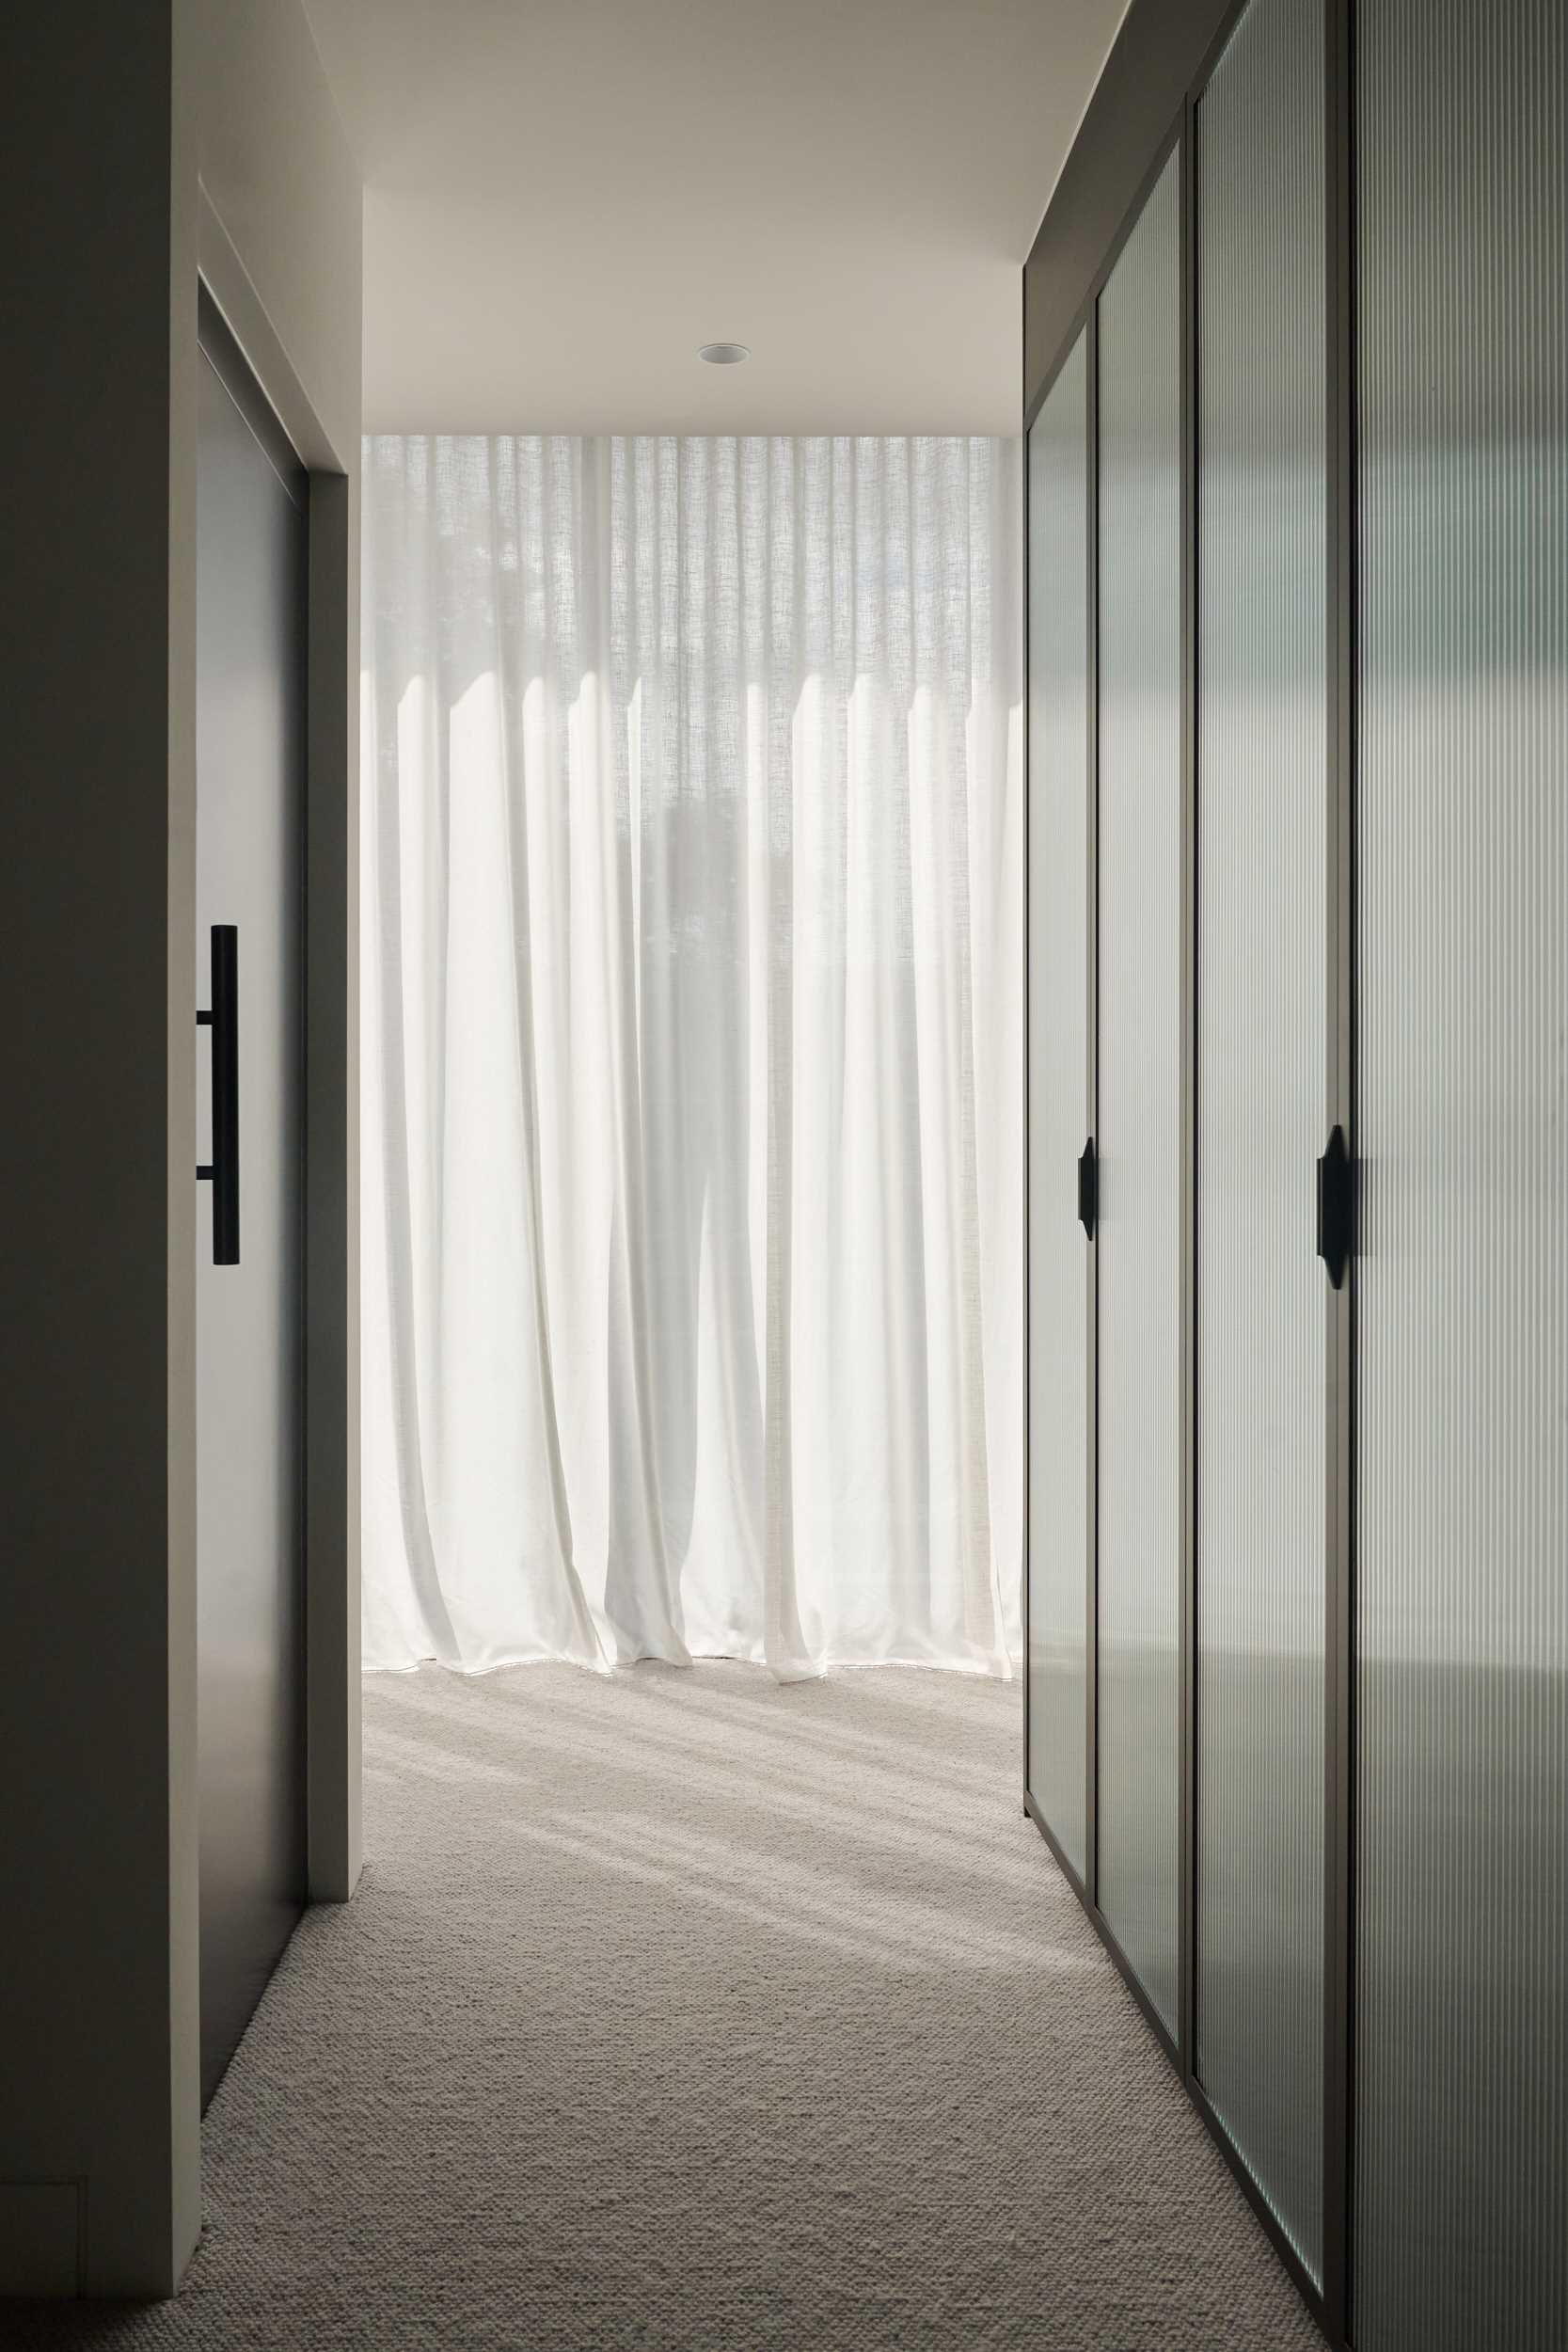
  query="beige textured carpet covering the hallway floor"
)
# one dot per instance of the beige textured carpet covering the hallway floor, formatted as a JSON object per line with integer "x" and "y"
{"x": 692, "y": 2014}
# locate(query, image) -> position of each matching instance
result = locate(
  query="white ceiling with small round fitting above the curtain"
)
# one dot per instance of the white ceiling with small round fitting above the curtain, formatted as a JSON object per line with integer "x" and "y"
{"x": 563, "y": 199}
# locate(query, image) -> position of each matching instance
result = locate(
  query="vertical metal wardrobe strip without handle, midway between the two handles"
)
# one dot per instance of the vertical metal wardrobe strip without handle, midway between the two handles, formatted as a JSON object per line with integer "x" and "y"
{"x": 1188, "y": 1121}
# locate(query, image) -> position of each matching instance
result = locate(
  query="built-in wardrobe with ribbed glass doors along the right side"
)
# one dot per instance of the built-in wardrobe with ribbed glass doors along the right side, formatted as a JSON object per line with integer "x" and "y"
{"x": 1299, "y": 1118}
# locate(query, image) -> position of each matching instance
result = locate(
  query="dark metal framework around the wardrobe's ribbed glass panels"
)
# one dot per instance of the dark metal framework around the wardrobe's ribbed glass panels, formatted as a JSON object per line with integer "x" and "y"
{"x": 1146, "y": 109}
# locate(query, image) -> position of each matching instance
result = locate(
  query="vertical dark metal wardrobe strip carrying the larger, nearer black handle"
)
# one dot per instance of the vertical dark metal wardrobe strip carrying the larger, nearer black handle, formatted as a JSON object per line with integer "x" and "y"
{"x": 1341, "y": 1088}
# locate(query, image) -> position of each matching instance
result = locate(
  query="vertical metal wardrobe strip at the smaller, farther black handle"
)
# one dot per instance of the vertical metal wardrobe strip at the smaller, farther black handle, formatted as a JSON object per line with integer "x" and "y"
{"x": 1092, "y": 1114}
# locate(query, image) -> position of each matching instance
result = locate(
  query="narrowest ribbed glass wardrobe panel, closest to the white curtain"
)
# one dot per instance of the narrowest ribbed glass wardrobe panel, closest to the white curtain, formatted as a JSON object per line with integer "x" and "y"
{"x": 1059, "y": 1102}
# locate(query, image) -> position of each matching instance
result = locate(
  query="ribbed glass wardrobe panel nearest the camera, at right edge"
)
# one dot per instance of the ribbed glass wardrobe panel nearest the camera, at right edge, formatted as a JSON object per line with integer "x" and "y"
{"x": 1463, "y": 1102}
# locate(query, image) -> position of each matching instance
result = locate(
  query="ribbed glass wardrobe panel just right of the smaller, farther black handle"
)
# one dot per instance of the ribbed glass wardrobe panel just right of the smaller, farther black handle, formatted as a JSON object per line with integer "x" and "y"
{"x": 1139, "y": 1081}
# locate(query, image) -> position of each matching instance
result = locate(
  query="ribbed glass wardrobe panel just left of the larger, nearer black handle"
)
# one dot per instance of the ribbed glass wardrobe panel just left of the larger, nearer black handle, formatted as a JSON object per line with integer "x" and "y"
{"x": 1264, "y": 1022}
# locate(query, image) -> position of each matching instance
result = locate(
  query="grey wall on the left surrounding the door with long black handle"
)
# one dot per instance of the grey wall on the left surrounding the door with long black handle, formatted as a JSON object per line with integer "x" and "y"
{"x": 112, "y": 121}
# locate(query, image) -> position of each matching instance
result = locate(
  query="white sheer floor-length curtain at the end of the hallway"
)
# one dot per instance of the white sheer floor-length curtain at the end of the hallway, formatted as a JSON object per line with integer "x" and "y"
{"x": 692, "y": 1050}
